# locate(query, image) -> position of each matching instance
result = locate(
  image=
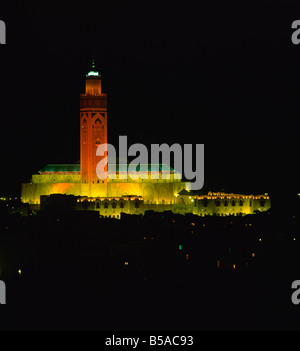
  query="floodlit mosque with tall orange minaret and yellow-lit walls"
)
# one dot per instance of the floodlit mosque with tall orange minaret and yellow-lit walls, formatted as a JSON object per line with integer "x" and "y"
{"x": 115, "y": 195}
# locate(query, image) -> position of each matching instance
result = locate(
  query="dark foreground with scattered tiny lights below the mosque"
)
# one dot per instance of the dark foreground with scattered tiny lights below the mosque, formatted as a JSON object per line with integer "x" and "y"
{"x": 158, "y": 272}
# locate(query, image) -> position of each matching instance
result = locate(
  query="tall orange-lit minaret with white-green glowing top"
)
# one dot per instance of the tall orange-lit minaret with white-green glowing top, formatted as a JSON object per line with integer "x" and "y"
{"x": 93, "y": 127}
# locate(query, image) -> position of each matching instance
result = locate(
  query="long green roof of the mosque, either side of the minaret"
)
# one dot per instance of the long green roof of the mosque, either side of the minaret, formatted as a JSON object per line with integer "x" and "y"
{"x": 119, "y": 167}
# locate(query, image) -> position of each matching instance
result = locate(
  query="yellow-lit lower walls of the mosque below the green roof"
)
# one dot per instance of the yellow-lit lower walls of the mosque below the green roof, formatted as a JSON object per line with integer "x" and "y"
{"x": 111, "y": 199}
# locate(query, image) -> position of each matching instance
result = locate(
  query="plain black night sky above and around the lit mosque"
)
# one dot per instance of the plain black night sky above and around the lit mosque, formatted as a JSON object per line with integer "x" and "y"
{"x": 226, "y": 75}
